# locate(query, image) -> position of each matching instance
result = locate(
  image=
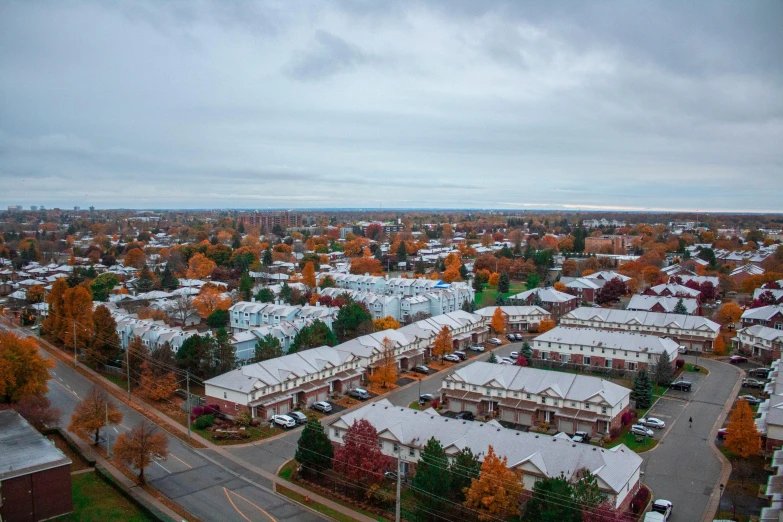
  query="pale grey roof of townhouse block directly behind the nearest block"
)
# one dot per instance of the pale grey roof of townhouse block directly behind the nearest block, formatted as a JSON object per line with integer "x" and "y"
{"x": 567, "y": 386}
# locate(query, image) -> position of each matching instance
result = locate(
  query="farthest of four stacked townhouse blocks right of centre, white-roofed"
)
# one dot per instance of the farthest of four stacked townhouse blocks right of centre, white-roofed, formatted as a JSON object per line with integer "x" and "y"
{"x": 693, "y": 332}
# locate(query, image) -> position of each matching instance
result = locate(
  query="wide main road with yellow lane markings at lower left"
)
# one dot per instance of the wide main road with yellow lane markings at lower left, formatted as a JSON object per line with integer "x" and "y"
{"x": 188, "y": 476}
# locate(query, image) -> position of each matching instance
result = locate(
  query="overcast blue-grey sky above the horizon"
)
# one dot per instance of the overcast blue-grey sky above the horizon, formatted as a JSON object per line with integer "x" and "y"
{"x": 583, "y": 105}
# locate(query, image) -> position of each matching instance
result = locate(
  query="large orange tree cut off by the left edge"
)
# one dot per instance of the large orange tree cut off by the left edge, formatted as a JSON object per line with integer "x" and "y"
{"x": 23, "y": 372}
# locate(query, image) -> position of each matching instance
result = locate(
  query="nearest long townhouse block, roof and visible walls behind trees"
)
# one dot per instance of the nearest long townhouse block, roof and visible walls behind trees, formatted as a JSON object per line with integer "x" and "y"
{"x": 403, "y": 433}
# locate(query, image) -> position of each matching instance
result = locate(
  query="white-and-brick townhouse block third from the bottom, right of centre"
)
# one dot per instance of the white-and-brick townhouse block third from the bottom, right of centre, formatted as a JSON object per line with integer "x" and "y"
{"x": 603, "y": 348}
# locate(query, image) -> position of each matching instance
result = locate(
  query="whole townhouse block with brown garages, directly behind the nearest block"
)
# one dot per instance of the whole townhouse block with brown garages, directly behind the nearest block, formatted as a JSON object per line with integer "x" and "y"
{"x": 531, "y": 396}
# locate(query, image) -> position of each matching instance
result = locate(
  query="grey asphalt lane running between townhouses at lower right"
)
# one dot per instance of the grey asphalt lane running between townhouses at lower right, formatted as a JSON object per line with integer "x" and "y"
{"x": 684, "y": 467}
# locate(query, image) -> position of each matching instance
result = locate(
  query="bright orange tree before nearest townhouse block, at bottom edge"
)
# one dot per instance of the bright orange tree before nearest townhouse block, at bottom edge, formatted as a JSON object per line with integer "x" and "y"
{"x": 496, "y": 494}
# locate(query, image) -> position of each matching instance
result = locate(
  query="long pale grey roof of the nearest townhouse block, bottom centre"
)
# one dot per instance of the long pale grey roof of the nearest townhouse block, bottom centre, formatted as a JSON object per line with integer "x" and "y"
{"x": 552, "y": 456}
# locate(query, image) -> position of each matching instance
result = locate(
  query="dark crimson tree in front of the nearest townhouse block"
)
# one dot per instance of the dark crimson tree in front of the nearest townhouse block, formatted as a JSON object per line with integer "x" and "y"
{"x": 359, "y": 458}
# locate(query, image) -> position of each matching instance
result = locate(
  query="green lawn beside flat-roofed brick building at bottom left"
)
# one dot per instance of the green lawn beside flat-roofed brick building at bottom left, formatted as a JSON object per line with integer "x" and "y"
{"x": 93, "y": 499}
